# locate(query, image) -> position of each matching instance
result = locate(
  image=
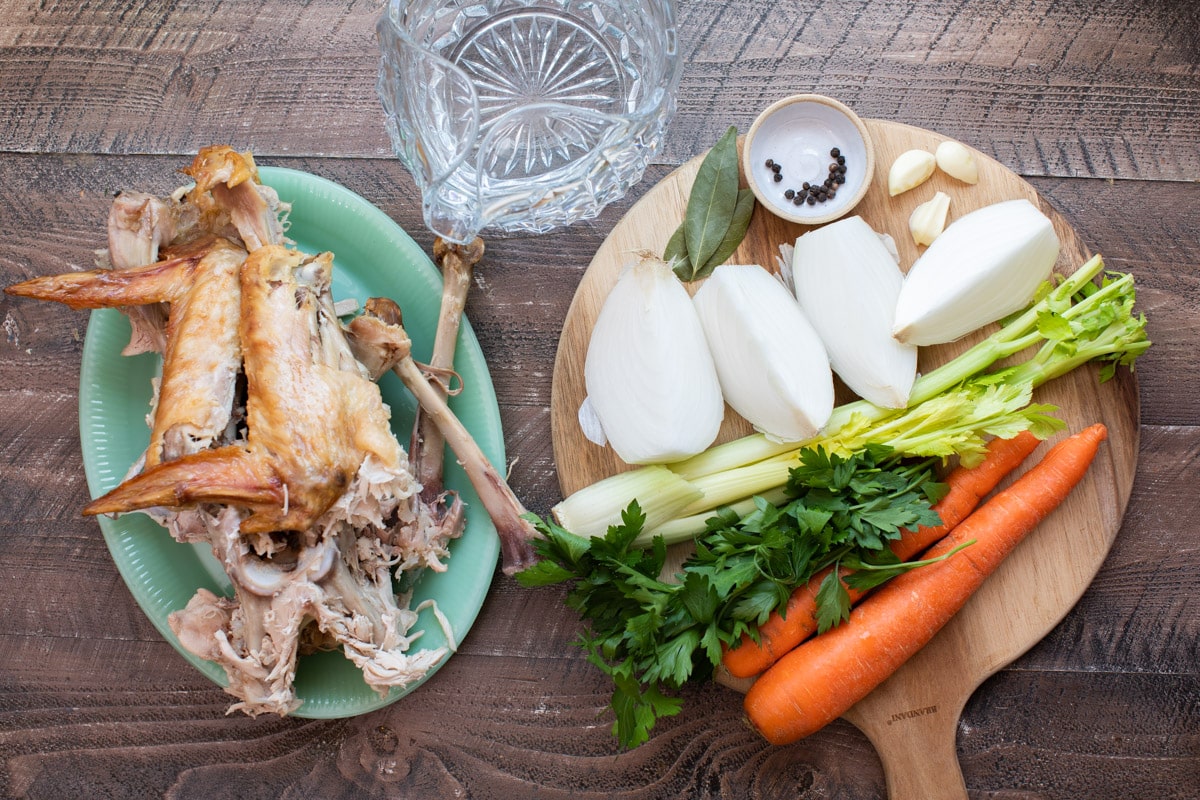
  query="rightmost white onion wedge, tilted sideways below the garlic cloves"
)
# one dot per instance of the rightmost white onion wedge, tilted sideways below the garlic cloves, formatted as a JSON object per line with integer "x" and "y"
{"x": 986, "y": 266}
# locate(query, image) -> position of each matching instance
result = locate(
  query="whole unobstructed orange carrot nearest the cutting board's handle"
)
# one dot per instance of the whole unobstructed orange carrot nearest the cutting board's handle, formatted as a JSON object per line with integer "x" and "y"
{"x": 820, "y": 681}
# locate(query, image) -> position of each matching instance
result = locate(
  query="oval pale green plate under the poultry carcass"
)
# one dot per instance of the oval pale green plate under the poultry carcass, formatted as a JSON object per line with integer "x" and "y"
{"x": 374, "y": 257}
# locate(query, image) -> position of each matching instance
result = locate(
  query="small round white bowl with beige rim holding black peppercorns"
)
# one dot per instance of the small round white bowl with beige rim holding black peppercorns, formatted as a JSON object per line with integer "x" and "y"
{"x": 797, "y": 135}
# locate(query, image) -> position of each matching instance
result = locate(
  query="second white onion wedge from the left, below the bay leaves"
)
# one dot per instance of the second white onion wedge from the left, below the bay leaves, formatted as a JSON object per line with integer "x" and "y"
{"x": 771, "y": 363}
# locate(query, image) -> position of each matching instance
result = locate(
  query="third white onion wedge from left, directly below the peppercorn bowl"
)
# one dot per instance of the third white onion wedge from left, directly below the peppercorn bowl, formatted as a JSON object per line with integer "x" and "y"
{"x": 848, "y": 282}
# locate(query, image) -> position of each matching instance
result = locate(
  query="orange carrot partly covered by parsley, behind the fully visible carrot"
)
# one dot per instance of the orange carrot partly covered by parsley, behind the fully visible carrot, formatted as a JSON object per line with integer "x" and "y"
{"x": 967, "y": 489}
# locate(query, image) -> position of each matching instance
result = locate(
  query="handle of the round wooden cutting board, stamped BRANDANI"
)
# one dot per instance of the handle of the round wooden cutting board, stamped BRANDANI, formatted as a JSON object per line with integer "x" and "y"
{"x": 920, "y": 754}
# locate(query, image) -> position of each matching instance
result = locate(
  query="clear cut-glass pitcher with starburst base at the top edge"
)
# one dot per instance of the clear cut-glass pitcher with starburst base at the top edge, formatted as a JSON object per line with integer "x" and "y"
{"x": 524, "y": 116}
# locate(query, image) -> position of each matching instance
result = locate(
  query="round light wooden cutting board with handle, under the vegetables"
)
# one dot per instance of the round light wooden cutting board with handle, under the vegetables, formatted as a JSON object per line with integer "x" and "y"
{"x": 913, "y": 719}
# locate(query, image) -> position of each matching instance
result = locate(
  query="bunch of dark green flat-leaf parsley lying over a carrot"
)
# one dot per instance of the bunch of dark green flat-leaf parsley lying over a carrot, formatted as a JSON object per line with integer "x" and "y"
{"x": 651, "y": 635}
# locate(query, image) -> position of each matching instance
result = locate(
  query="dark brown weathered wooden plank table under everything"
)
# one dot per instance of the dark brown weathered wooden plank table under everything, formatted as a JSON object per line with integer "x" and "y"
{"x": 1096, "y": 103}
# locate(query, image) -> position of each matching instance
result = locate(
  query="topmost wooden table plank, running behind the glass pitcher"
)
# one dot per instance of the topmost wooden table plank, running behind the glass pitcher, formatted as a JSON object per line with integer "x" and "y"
{"x": 1093, "y": 88}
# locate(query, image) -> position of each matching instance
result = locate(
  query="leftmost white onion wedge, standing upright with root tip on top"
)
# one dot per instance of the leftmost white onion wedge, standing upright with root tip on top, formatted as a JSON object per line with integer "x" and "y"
{"x": 650, "y": 377}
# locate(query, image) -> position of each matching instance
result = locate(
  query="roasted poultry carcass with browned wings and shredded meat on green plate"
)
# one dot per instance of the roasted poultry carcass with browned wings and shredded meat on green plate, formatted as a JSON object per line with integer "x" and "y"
{"x": 271, "y": 441}
